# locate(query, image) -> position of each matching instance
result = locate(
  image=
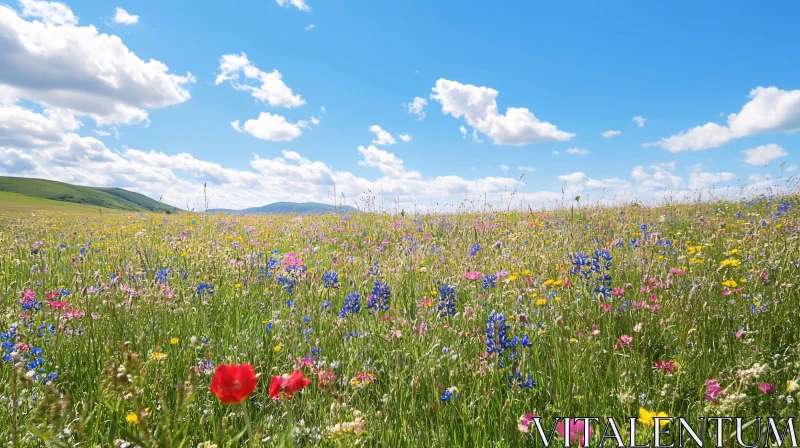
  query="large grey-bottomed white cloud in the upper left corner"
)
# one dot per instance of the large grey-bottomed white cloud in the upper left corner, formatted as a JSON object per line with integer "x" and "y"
{"x": 56, "y": 63}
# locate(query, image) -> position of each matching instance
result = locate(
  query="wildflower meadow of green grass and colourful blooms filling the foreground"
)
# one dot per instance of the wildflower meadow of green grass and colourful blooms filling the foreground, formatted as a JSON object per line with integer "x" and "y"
{"x": 431, "y": 330}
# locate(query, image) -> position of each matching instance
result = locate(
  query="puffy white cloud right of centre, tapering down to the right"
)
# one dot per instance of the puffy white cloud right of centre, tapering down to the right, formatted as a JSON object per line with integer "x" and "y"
{"x": 478, "y": 106}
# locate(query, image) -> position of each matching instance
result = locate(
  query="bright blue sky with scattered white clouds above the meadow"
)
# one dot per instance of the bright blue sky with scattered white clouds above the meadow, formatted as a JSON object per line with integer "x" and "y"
{"x": 584, "y": 67}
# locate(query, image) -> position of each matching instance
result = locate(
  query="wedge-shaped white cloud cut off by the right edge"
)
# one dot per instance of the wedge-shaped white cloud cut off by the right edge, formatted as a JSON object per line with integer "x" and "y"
{"x": 769, "y": 110}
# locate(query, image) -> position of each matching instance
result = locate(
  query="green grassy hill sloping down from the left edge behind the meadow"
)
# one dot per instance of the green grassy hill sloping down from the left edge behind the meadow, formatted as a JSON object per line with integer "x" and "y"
{"x": 114, "y": 198}
